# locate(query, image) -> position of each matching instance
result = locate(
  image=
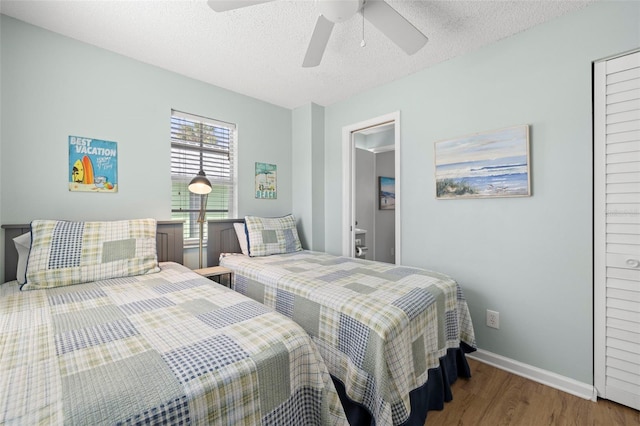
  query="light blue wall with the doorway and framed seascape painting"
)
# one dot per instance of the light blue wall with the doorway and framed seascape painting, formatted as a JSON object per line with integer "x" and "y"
{"x": 528, "y": 258}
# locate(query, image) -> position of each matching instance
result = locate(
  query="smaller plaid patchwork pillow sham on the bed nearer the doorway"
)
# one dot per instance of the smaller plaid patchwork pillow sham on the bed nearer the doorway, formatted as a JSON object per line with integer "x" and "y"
{"x": 272, "y": 235}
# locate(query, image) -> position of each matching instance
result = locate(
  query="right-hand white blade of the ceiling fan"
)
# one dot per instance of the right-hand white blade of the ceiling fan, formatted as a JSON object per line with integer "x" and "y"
{"x": 395, "y": 26}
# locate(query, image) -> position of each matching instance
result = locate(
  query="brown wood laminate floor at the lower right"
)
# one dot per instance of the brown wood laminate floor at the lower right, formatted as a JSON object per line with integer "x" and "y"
{"x": 493, "y": 397}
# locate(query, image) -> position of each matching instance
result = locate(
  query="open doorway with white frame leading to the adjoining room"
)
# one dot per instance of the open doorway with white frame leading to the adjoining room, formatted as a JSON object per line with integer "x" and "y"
{"x": 371, "y": 207}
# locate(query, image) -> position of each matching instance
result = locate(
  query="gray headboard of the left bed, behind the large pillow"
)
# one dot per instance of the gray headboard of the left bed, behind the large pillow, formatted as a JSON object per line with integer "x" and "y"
{"x": 169, "y": 240}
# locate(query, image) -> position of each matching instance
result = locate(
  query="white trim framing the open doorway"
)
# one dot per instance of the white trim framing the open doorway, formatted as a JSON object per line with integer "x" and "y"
{"x": 348, "y": 181}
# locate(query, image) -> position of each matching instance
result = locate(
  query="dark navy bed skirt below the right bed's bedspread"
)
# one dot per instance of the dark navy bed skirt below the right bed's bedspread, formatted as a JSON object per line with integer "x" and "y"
{"x": 430, "y": 396}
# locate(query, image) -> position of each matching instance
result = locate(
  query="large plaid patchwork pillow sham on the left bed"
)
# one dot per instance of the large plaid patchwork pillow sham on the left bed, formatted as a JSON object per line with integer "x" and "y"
{"x": 64, "y": 253}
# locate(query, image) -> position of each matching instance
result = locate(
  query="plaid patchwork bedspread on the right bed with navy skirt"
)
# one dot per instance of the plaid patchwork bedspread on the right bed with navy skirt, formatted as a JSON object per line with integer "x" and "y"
{"x": 379, "y": 327}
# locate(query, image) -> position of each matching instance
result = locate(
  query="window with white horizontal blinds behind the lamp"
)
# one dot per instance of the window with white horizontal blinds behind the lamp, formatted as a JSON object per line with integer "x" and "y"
{"x": 200, "y": 142}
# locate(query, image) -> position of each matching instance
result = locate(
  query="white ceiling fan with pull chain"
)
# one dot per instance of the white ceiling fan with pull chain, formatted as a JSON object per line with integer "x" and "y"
{"x": 378, "y": 12}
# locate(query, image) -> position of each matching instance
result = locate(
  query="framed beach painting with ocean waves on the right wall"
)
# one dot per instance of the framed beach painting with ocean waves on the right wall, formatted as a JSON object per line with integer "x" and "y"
{"x": 482, "y": 165}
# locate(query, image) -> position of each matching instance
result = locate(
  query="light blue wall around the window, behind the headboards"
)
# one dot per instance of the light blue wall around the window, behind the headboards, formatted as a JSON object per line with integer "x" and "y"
{"x": 53, "y": 87}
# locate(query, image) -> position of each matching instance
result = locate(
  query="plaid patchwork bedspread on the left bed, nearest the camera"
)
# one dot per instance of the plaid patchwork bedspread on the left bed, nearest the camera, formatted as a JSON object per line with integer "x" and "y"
{"x": 166, "y": 348}
